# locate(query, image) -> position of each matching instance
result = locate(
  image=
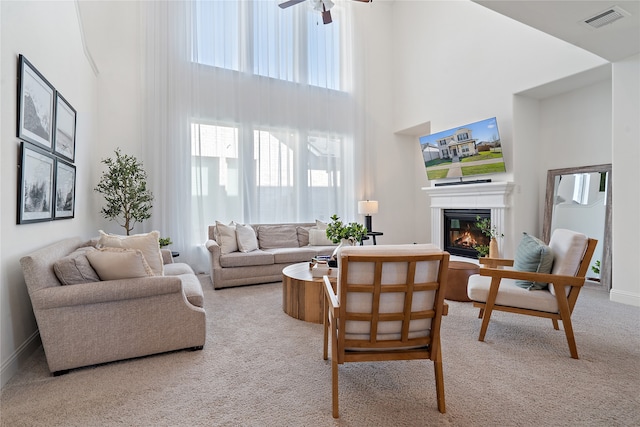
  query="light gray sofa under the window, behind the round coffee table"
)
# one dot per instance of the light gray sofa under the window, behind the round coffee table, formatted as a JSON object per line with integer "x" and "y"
{"x": 279, "y": 245}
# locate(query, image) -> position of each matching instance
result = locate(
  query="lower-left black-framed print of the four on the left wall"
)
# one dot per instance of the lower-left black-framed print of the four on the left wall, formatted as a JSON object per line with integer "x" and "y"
{"x": 35, "y": 194}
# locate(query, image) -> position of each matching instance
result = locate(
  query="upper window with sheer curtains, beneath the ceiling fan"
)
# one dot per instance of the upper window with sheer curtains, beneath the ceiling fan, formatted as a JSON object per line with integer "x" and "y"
{"x": 284, "y": 44}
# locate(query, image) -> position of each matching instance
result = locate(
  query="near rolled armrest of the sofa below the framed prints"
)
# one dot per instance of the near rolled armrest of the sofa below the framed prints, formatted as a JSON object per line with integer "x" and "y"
{"x": 106, "y": 291}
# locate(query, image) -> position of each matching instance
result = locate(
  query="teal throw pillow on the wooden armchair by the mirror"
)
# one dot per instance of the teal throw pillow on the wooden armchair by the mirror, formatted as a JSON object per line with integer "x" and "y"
{"x": 533, "y": 255}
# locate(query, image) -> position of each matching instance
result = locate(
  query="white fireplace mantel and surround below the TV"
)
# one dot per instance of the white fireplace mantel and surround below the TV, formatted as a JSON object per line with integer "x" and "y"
{"x": 495, "y": 196}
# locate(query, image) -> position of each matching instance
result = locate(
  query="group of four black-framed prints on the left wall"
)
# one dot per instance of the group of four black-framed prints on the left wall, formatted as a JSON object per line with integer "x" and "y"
{"x": 47, "y": 130}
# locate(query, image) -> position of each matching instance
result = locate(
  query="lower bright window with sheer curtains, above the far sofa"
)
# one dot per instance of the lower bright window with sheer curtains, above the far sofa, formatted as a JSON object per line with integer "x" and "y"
{"x": 268, "y": 174}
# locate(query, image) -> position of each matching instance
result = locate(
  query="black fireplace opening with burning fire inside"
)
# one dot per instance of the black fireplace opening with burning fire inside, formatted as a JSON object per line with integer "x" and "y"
{"x": 460, "y": 232}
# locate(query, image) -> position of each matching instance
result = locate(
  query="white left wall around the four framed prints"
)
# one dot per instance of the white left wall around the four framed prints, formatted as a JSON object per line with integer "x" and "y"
{"x": 48, "y": 34}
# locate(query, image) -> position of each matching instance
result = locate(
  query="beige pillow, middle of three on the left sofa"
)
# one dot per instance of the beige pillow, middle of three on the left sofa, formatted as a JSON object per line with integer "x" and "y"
{"x": 119, "y": 263}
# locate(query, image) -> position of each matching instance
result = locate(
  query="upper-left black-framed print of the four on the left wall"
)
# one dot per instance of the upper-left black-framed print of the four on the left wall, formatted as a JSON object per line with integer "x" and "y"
{"x": 36, "y": 104}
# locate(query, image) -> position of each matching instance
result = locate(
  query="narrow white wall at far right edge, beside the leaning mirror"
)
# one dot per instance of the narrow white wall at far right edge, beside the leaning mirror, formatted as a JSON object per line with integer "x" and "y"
{"x": 626, "y": 177}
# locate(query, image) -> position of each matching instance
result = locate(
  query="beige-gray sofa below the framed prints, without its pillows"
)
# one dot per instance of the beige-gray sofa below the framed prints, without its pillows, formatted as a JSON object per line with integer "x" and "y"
{"x": 103, "y": 321}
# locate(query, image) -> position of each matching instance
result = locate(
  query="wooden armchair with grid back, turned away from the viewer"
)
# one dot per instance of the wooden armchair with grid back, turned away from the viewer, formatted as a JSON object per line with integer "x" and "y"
{"x": 388, "y": 306}
